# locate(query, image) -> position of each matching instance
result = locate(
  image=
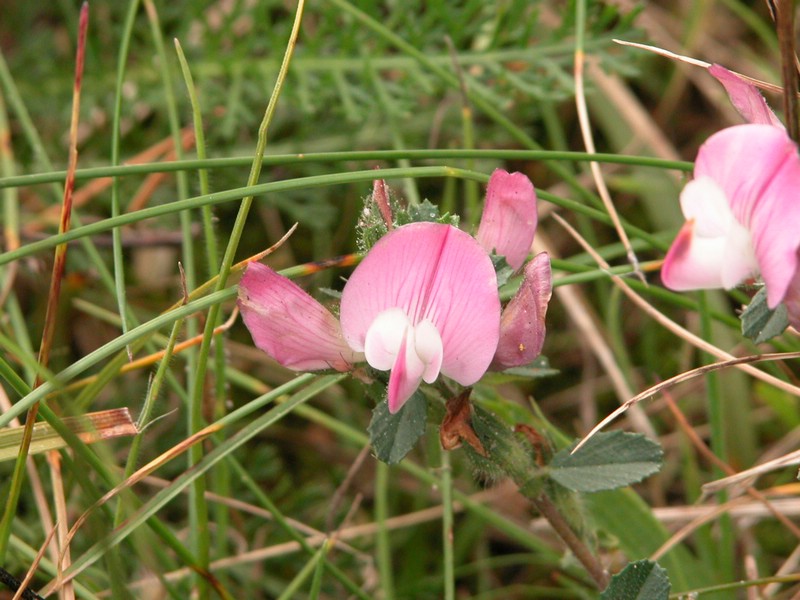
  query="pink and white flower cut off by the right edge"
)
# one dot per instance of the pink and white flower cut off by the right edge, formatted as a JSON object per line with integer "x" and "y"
{"x": 743, "y": 216}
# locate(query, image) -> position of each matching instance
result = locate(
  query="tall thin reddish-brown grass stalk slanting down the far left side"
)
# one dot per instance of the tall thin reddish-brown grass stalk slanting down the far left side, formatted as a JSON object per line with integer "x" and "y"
{"x": 57, "y": 276}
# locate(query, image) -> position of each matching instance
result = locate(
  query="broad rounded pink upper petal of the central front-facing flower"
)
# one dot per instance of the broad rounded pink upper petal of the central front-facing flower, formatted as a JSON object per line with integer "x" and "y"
{"x": 431, "y": 271}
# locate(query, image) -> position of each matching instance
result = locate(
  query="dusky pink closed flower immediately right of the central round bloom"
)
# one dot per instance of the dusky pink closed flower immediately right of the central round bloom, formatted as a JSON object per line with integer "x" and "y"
{"x": 522, "y": 327}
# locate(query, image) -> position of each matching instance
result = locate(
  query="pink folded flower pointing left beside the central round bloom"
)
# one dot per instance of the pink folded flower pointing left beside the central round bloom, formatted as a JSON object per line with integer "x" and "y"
{"x": 290, "y": 325}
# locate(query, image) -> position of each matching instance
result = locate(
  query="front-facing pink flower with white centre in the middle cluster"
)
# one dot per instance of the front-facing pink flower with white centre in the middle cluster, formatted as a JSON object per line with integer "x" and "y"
{"x": 423, "y": 301}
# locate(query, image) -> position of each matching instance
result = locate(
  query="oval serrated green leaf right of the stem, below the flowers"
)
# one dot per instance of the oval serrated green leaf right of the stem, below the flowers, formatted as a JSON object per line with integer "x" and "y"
{"x": 607, "y": 461}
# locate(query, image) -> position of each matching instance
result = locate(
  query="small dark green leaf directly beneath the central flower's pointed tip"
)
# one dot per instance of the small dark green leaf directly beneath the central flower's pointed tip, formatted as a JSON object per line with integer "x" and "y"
{"x": 393, "y": 436}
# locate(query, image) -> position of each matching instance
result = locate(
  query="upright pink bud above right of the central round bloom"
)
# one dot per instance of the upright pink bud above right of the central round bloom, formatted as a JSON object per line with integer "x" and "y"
{"x": 509, "y": 217}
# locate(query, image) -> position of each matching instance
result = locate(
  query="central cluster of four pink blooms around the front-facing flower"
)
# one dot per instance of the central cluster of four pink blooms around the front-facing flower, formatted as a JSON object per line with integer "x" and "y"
{"x": 423, "y": 302}
